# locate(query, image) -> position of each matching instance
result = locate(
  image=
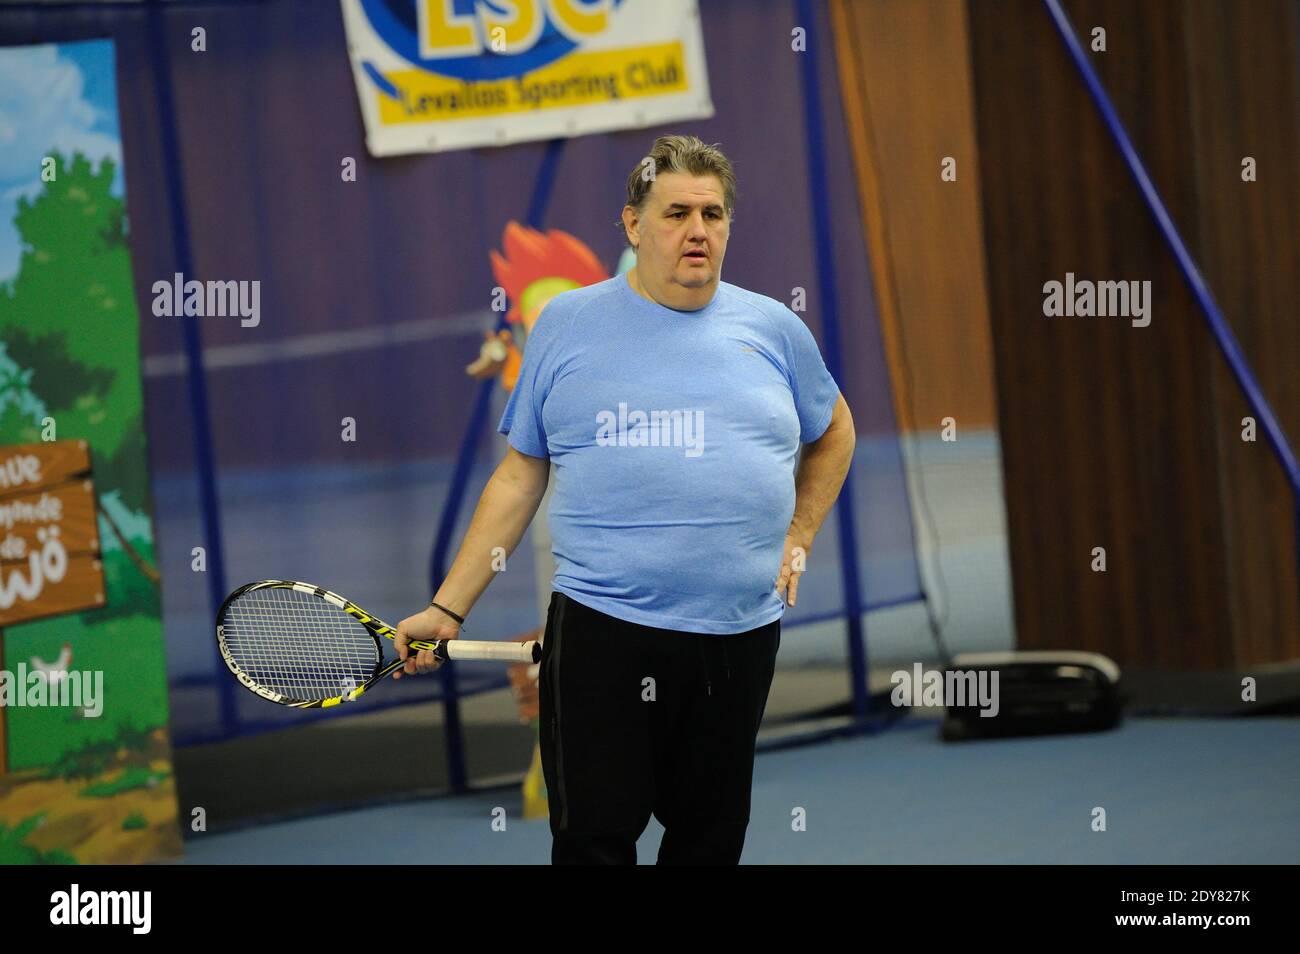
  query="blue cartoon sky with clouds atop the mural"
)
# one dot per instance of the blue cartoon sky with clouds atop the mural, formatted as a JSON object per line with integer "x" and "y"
{"x": 53, "y": 97}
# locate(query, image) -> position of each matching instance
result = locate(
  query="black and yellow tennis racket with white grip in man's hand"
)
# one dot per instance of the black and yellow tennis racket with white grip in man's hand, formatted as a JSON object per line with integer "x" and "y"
{"x": 304, "y": 647}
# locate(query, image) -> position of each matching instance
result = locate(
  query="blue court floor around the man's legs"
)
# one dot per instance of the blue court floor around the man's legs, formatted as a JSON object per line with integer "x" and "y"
{"x": 1175, "y": 792}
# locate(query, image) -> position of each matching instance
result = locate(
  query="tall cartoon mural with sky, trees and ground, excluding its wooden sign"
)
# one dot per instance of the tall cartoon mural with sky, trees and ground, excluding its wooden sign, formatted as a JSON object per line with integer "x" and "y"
{"x": 88, "y": 779}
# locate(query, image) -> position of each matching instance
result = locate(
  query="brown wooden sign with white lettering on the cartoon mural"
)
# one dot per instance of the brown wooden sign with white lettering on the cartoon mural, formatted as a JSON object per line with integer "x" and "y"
{"x": 49, "y": 532}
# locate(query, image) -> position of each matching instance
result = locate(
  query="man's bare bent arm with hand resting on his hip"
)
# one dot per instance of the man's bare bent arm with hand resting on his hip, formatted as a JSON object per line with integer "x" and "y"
{"x": 824, "y": 467}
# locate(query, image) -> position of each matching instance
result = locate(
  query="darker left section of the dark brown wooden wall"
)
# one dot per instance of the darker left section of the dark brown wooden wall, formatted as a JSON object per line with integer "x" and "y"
{"x": 1107, "y": 433}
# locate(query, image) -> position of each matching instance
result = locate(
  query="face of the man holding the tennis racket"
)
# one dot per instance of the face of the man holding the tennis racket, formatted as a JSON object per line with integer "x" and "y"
{"x": 682, "y": 232}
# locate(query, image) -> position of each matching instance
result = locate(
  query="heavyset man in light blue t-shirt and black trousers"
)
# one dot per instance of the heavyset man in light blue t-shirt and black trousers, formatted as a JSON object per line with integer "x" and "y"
{"x": 674, "y": 409}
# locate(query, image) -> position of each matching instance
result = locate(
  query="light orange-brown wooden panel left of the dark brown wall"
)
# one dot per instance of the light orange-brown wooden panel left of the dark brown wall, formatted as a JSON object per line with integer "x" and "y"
{"x": 907, "y": 85}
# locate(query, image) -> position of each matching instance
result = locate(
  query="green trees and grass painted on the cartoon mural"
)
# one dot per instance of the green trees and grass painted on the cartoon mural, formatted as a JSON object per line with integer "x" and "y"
{"x": 70, "y": 345}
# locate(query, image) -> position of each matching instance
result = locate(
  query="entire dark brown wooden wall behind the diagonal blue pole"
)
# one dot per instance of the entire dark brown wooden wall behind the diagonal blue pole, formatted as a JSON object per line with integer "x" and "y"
{"x": 1117, "y": 436}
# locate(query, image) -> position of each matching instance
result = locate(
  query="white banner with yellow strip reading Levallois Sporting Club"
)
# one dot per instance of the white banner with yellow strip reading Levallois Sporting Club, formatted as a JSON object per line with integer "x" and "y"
{"x": 450, "y": 75}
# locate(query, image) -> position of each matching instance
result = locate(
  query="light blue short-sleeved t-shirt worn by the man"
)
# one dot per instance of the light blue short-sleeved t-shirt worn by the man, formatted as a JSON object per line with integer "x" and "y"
{"x": 674, "y": 437}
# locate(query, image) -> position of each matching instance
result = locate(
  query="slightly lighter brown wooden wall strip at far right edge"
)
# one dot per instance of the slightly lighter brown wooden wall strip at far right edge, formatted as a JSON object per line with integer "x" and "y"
{"x": 1245, "y": 94}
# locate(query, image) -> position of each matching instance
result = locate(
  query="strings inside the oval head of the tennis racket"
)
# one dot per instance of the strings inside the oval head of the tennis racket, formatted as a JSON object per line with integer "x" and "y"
{"x": 298, "y": 645}
